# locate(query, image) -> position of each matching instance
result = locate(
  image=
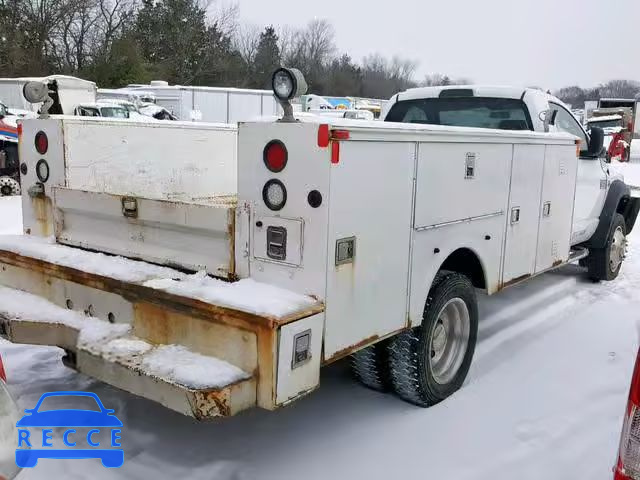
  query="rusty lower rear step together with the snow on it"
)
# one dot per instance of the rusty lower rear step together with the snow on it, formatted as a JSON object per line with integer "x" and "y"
{"x": 190, "y": 383}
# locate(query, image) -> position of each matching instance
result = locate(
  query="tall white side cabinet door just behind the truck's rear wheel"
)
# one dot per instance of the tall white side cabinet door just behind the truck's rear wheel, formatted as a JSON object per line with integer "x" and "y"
{"x": 371, "y": 200}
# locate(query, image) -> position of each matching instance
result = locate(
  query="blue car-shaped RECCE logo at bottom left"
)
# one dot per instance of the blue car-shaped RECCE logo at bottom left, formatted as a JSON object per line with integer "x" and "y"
{"x": 28, "y": 452}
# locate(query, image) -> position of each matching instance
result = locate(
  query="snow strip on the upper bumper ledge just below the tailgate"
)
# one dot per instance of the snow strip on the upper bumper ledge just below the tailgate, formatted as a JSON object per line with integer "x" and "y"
{"x": 245, "y": 295}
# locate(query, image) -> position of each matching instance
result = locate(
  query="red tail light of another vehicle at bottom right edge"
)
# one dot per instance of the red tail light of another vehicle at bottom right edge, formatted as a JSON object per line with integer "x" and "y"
{"x": 628, "y": 465}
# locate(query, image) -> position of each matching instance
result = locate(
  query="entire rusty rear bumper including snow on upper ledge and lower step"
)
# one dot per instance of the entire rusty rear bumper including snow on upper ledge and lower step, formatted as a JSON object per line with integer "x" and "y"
{"x": 192, "y": 344}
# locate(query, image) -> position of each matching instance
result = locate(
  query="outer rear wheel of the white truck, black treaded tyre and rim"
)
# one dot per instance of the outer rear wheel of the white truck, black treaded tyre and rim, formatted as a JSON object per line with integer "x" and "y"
{"x": 430, "y": 362}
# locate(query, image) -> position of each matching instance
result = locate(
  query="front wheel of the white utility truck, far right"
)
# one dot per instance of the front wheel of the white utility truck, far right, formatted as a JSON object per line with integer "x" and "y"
{"x": 605, "y": 263}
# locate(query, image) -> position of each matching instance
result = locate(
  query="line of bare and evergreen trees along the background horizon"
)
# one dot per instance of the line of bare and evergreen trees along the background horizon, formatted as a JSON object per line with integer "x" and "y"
{"x": 196, "y": 42}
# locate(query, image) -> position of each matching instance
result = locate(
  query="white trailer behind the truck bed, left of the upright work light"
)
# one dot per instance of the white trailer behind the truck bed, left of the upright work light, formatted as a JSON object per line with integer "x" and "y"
{"x": 212, "y": 104}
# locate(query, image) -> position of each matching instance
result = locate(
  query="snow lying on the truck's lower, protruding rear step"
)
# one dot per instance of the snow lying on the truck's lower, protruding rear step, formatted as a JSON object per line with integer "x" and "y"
{"x": 171, "y": 363}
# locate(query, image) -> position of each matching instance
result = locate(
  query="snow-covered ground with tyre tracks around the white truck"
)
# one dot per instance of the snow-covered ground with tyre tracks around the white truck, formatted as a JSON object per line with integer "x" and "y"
{"x": 544, "y": 400}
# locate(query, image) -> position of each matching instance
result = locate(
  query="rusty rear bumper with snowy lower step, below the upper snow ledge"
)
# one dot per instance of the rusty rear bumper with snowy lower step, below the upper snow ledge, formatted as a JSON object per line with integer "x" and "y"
{"x": 198, "y": 358}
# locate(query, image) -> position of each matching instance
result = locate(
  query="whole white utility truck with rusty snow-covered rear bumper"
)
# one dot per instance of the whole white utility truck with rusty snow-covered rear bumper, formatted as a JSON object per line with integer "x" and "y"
{"x": 212, "y": 293}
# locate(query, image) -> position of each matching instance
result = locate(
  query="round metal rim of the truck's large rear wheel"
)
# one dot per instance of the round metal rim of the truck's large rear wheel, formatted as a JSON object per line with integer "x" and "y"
{"x": 448, "y": 340}
